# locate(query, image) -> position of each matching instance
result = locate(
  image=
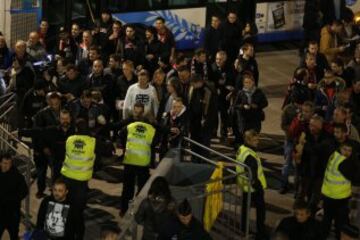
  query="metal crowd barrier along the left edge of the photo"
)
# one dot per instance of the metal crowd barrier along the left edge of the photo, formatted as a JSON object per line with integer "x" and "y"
{"x": 10, "y": 142}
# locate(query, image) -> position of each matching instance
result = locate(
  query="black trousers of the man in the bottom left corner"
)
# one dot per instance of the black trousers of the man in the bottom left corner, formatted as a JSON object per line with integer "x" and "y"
{"x": 10, "y": 222}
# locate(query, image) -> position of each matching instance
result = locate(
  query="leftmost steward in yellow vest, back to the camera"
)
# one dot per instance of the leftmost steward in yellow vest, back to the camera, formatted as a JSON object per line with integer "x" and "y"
{"x": 77, "y": 169}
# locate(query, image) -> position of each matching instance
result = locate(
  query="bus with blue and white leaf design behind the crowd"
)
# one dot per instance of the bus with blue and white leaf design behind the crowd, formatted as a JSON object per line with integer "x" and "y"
{"x": 185, "y": 18}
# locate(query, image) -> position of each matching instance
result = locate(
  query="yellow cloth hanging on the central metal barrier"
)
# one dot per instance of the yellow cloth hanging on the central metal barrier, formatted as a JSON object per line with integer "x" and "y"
{"x": 214, "y": 200}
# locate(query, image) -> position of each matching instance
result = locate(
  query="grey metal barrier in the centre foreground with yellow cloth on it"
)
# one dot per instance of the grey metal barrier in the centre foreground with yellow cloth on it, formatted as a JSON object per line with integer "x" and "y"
{"x": 228, "y": 223}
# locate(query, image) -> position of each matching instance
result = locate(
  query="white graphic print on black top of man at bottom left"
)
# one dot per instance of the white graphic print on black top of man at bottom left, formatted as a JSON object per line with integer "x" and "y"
{"x": 55, "y": 219}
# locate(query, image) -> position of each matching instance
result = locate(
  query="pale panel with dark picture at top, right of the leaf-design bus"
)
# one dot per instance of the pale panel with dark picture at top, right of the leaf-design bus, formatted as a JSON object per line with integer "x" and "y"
{"x": 280, "y": 16}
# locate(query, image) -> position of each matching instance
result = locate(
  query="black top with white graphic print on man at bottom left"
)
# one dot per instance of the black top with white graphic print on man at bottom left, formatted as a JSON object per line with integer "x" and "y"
{"x": 56, "y": 219}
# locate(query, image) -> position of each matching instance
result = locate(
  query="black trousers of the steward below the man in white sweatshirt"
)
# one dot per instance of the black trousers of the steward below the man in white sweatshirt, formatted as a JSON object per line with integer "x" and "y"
{"x": 132, "y": 174}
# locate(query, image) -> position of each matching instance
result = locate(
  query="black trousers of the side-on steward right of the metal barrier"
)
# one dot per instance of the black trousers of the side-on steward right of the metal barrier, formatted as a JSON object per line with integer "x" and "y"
{"x": 257, "y": 201}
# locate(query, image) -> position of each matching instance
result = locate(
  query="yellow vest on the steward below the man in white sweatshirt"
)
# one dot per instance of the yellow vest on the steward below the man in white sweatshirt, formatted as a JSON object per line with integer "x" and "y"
{"x": 138, "y": 144}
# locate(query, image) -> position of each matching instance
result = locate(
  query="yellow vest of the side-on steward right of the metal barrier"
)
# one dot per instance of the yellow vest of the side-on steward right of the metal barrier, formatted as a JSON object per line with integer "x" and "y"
{"x": 241, "y": 156}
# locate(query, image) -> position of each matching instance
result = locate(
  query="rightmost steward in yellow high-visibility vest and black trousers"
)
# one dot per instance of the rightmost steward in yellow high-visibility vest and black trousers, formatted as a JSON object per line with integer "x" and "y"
{"x": 336, "y": 189}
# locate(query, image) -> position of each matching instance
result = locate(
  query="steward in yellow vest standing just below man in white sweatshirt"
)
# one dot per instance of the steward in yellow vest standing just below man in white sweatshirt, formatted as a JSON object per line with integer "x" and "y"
{"x": 138, "y": 140}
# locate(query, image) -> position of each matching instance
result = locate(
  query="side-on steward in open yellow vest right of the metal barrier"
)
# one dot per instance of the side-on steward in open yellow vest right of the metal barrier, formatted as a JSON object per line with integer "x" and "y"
{"x": 248, "y": 156}
